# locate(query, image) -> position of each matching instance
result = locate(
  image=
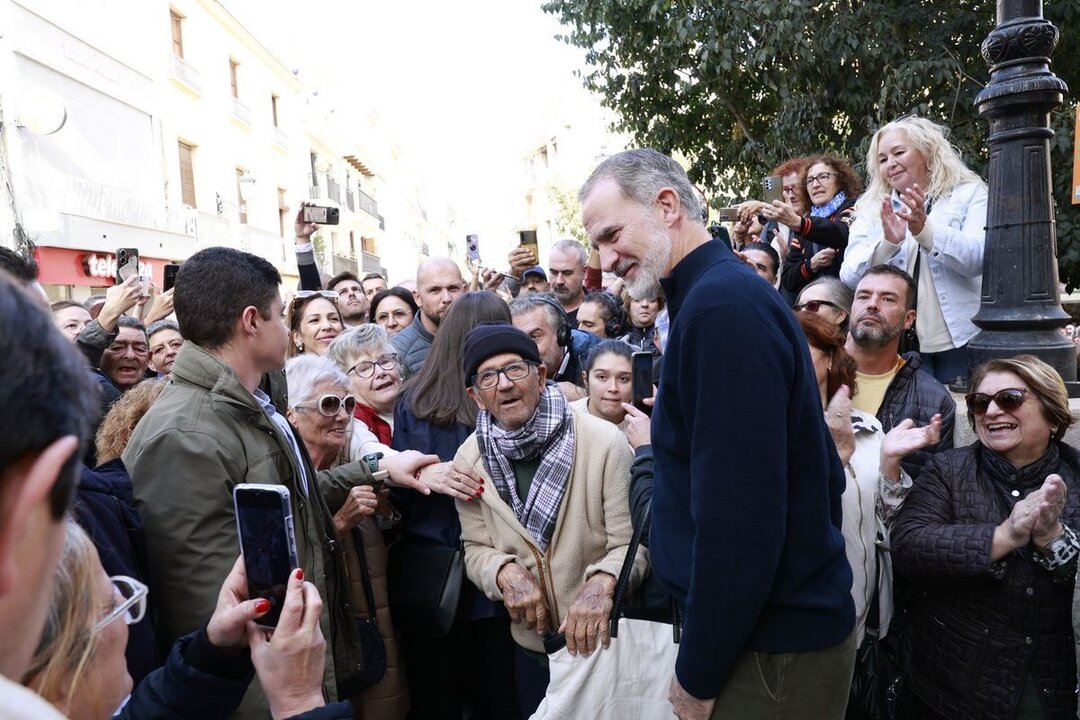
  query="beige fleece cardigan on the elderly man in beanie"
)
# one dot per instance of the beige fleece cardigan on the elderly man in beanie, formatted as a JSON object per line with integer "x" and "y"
{"x": 591, "y": 536}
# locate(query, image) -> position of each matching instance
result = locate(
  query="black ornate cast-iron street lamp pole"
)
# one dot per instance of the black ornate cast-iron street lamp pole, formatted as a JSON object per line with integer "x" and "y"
{"x": 1021, "y": 309}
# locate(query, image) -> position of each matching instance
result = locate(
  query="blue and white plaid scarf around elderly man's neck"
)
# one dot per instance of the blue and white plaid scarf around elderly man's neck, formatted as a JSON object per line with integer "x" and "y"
{"x": 549, "y": 433}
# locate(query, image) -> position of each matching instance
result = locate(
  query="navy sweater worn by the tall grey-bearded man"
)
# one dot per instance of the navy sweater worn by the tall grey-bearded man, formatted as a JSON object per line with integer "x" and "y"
{"x": 747, "y": 496}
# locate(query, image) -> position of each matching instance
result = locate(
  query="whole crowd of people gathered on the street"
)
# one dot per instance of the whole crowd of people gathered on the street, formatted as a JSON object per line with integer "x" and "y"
{"x": 474, "y": 491}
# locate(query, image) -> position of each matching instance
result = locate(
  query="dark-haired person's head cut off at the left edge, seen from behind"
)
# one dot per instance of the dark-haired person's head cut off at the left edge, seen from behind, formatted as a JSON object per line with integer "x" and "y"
{"x": 49, "y": 403}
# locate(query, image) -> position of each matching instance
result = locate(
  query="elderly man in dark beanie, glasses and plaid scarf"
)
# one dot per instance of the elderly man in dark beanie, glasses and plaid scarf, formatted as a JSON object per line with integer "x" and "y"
{"x": 560, "y": 478}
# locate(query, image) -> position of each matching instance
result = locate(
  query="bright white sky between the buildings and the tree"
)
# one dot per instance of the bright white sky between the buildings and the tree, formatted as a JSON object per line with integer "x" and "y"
{"x": 464, "y": 87}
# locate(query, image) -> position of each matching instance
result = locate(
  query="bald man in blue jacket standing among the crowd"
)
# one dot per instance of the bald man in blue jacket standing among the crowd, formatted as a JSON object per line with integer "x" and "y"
{"x": 439, "y": 283}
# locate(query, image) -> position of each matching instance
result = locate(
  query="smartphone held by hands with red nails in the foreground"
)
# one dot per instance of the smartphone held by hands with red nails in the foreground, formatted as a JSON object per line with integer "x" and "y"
{"x": 265, "y": 525}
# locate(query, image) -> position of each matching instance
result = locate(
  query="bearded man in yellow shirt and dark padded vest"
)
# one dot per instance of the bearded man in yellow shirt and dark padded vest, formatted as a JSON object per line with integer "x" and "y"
{"x": 890, "y": 387}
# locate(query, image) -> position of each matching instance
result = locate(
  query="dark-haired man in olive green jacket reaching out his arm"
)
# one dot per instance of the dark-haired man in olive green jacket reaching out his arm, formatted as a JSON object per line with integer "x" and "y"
{"x": 214, "y": 428}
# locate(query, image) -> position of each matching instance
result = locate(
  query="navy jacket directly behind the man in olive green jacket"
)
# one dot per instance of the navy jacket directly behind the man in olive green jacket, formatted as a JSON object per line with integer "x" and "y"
{"x": 105, "y": 509}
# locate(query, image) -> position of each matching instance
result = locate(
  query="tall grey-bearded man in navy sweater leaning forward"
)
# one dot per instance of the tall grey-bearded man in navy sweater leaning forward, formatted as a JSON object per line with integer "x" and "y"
{"x": 747, "y": 499}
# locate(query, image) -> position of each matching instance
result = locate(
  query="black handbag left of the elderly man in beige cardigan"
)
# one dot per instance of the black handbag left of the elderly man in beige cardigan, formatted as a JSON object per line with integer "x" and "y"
{"x": 426, "y": 587}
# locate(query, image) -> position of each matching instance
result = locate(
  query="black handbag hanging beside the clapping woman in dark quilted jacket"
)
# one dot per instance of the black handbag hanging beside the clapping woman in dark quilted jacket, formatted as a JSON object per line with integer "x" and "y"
{"x": 876, "y": 682}
